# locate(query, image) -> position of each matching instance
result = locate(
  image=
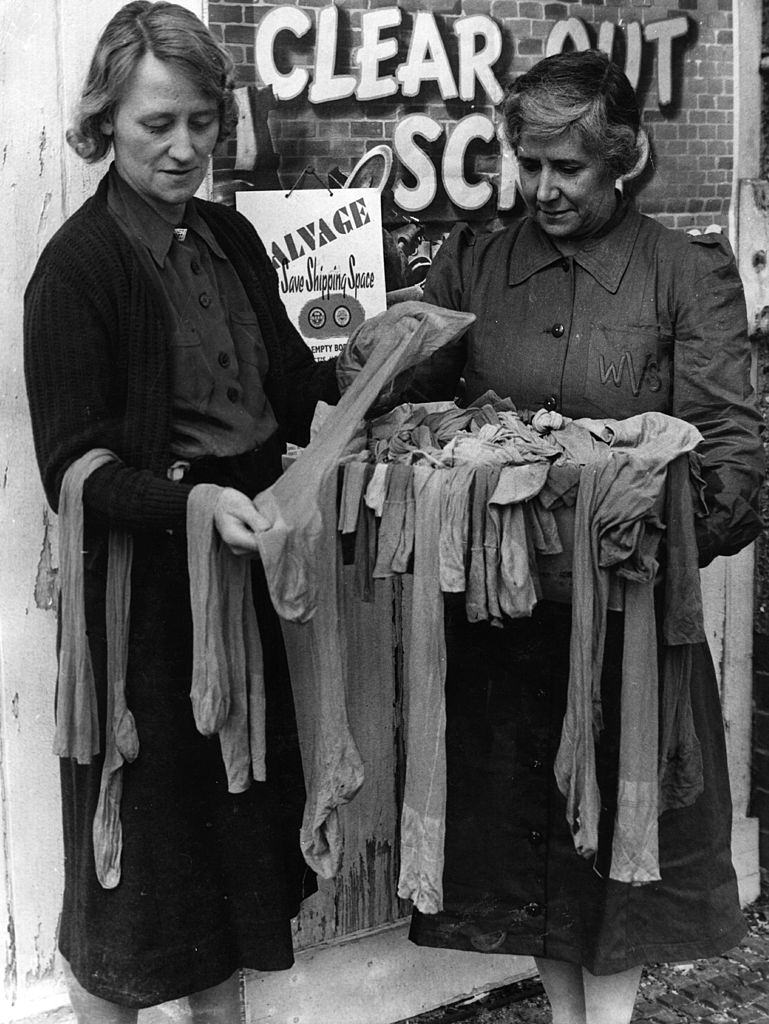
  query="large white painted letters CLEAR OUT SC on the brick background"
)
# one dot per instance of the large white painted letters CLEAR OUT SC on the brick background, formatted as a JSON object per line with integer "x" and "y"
{"x": 459, "y": 58}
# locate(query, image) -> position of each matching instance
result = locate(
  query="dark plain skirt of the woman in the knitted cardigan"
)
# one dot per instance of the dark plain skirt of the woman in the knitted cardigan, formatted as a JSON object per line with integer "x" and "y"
{"x": 210, "y": 880}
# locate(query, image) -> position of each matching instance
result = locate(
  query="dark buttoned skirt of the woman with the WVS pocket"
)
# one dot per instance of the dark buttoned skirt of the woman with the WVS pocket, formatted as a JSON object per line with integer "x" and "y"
{"x": 514, "y": 882}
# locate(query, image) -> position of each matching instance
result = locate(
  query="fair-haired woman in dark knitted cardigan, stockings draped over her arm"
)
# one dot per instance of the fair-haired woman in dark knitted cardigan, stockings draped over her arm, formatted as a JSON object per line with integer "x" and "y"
{"x": 155, "y": 330}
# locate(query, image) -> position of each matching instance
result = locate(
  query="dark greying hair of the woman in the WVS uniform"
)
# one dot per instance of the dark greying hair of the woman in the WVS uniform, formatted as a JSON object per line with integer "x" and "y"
{"x": 585, "y": 93}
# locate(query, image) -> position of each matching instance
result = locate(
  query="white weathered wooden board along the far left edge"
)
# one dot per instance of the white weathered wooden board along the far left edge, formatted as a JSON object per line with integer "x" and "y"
{"x": 32, "y": 208}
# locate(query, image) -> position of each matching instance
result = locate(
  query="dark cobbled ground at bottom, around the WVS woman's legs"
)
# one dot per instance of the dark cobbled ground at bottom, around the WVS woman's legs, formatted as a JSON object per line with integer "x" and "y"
{"x": 730, "y": 989}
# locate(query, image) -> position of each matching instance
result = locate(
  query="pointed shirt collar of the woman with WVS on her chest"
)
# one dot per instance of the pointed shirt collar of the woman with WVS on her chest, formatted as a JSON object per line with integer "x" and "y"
{"x": 606, "y": 258}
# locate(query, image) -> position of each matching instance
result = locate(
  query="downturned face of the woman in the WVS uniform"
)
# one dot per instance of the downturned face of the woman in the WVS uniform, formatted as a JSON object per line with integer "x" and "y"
{"x": 568, "y": 192}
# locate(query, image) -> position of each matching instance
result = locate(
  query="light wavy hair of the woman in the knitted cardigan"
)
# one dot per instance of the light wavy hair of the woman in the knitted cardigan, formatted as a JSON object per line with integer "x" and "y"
{"x": 170, "y": 33}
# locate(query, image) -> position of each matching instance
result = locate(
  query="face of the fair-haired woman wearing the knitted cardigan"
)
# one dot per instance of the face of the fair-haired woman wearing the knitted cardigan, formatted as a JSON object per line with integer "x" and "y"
{"x": 163, "y": 132}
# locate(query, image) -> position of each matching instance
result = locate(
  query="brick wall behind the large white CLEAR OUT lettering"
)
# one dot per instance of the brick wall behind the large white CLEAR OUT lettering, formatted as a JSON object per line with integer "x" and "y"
{"x": 690, "y": 184}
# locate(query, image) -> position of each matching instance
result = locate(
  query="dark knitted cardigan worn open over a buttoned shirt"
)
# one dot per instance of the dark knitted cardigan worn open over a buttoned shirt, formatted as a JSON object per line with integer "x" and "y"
{"x": 99, "y": 371}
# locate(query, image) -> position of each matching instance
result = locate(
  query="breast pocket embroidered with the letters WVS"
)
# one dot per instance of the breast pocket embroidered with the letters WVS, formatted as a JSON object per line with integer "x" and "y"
{"x": 628, "y": 370}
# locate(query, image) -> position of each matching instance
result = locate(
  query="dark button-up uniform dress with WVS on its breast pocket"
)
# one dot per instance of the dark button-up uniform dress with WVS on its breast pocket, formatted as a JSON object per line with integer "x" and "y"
{"x": 643, "y": 319}
